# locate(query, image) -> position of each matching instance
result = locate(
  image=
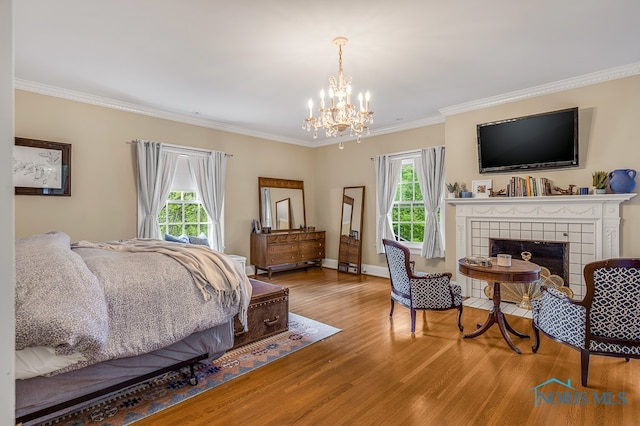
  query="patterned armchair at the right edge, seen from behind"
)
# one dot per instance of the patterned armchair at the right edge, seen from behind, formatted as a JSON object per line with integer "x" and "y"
{"x": 606, "y": 322}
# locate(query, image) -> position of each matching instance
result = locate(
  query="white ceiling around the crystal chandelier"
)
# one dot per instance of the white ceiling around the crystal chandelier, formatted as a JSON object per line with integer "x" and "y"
{"x": 250, "y": 66}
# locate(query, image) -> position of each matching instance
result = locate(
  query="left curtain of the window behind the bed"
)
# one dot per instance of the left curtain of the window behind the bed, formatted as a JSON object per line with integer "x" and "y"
{"x": 156, "y": 168}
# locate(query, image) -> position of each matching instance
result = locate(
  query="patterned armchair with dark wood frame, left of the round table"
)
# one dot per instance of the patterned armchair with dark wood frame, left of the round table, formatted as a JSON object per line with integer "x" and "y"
{"x": 419, "y": 291}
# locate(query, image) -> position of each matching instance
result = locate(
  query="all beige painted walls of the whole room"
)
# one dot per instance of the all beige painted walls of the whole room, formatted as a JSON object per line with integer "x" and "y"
{"x": 103, "y": 201}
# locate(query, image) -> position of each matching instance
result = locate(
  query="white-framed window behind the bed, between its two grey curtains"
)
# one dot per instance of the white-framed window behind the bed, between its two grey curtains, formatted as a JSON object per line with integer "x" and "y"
{"x": 183, "y": 214}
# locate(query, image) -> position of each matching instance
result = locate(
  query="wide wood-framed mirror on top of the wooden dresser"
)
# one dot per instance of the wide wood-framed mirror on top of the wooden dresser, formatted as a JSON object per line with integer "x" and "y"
{"x": 281, "y": 202}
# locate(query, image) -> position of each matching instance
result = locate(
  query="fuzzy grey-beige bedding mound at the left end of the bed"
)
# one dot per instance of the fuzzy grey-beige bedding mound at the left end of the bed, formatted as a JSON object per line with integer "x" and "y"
{"x": 59, "y": 301}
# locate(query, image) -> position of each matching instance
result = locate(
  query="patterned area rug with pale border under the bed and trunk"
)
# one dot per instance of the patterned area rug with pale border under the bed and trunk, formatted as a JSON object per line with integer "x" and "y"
{"x": 142, "y": 400}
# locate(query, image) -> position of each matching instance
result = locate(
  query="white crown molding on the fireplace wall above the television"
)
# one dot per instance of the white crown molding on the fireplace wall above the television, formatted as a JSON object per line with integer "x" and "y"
{"x": 545, "y": 89}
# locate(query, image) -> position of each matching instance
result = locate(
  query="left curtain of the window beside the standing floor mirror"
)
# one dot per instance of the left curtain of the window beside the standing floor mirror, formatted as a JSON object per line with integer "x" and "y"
{"x": 387, "y": 177}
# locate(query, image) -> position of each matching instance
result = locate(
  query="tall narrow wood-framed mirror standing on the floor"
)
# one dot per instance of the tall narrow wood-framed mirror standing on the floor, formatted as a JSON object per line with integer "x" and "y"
{"x": 350, "y": 250}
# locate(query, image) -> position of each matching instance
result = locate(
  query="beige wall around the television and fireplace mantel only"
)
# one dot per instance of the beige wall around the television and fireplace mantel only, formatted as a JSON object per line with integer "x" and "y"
{"x": 609, "y": 132}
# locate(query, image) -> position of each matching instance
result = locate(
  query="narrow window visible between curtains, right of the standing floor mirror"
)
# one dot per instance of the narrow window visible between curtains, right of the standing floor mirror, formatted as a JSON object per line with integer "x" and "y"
{"x": 407, "y": 214}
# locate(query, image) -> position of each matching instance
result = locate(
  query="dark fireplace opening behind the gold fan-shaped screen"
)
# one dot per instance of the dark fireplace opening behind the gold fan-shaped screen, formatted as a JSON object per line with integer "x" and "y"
{"x": 552, "y": 255}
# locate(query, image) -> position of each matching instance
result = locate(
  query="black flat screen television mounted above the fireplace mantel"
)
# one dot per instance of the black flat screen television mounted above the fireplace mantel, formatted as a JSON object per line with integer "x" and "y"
{"x": 541, "y": 141}
